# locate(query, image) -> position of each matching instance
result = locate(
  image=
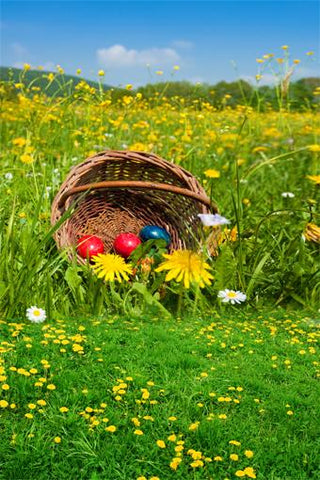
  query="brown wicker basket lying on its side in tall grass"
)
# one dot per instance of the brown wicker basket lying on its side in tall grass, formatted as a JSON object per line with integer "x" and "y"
{"x": 122, "y": 191}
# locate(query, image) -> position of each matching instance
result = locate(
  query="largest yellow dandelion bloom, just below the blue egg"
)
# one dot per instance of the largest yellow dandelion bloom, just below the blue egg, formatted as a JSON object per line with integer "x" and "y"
{"x": 186, "y": 266}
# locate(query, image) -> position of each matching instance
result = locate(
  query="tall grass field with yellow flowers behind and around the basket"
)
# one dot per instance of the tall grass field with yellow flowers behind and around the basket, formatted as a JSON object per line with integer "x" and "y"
{"x": 261, "y": 169}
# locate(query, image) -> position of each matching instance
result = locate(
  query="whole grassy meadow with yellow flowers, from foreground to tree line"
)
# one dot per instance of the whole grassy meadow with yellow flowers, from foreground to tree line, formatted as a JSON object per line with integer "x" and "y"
{"x": 153, "y": 380}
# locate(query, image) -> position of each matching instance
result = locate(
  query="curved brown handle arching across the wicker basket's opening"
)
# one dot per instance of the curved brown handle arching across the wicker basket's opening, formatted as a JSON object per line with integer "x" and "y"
{"x": 138, "y": 184}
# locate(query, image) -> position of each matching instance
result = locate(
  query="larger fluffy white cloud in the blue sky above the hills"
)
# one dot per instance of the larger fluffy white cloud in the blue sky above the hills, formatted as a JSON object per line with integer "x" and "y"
{"x": 120, "y": 56}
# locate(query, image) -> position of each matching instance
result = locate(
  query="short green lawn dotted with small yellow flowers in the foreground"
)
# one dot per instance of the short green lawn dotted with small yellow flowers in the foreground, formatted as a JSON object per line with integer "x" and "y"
{"x": 186, "y": 360}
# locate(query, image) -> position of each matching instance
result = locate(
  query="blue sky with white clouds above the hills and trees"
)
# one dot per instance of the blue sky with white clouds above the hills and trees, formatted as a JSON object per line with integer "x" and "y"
{"x": 203, "y": 38}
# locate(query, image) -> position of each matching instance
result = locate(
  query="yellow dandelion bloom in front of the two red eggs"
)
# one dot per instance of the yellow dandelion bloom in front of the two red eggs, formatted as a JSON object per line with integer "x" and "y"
{"x": 110, "y": 267}
